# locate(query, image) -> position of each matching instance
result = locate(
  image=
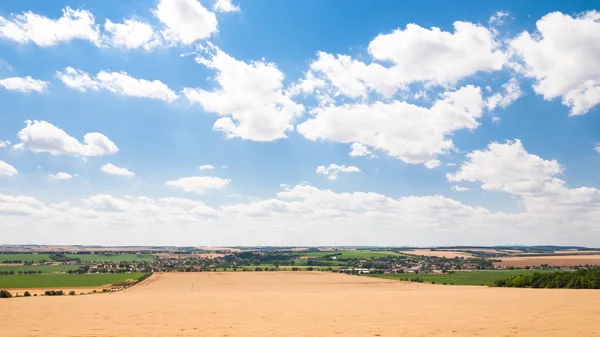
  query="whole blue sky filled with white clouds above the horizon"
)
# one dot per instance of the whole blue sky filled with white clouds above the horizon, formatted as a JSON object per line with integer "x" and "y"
{"x": 472, "y": 123}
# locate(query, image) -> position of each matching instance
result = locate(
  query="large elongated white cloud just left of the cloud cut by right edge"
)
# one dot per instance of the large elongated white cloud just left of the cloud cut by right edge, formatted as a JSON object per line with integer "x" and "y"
{"x": 416, "y": 54}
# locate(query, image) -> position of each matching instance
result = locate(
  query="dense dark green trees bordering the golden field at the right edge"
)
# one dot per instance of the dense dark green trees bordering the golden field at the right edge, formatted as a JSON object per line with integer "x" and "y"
{"x": 579, "y": 279}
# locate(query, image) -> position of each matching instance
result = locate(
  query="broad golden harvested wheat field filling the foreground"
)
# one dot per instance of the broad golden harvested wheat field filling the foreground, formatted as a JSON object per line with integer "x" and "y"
{"x": 303, "y": 304}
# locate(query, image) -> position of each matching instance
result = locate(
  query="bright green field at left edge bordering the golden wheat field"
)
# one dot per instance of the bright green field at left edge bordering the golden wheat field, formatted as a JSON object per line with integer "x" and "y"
{"x": 64, "y": 280}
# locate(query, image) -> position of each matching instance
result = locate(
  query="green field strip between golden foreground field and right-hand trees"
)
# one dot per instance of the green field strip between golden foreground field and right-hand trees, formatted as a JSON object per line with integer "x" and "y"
{"x": 485, "y": 277}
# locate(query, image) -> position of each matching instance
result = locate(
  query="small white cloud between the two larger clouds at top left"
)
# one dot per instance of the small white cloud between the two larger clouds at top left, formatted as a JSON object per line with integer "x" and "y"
{"x": 131, "y": 34}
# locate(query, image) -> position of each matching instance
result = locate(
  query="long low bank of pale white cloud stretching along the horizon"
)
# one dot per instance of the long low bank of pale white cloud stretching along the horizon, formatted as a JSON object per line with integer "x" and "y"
{"x": 299, "y": 215}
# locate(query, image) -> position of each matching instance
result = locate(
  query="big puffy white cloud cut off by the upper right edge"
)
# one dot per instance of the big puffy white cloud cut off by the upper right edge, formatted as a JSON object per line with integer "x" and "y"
{"x": 560, "y": 57}
